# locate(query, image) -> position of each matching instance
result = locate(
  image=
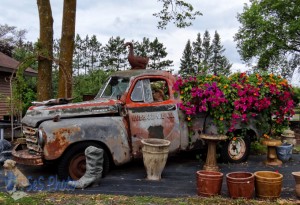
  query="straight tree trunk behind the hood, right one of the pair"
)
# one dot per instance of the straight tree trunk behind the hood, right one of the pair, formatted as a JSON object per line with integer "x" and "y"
{"x": 66, "y": 49}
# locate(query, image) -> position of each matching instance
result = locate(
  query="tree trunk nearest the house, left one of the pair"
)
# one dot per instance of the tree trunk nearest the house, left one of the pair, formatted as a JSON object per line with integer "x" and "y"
{"x": 44, "y": 89}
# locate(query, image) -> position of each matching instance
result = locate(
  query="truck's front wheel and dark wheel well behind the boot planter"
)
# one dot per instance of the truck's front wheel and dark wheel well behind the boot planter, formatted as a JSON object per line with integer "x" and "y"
{"x": 72, "y": 163}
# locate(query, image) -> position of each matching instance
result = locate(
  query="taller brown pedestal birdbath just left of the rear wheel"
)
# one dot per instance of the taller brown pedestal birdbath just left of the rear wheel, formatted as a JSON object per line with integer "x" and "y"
{"x": 211, "y": 158}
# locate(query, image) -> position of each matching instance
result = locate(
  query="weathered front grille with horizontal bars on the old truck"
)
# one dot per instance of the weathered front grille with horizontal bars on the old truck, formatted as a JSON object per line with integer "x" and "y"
{"x": 31, "y": 135}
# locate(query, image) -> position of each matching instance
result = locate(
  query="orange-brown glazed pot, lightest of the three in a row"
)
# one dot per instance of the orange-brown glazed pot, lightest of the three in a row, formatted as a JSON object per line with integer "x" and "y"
{"x": 268, "y": 184}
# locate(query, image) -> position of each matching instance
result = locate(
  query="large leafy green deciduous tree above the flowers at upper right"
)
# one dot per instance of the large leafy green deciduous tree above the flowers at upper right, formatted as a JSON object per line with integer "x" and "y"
{"x": 270, "y": 34}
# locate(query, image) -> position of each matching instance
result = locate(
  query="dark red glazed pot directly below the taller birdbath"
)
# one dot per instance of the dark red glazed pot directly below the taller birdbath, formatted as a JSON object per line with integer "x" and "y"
{"x": 209, "y": 183}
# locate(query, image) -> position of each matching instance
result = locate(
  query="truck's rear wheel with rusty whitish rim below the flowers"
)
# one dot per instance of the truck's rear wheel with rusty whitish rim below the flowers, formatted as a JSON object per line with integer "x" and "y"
{"x": 236, "y": 151}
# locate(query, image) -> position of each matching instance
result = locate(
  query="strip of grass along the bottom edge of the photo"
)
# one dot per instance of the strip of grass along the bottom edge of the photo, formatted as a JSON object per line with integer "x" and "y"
{"x": 75, "y": 199}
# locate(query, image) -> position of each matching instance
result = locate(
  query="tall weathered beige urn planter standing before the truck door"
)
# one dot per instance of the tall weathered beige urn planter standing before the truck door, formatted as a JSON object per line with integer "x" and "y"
{"x": 155, "y": 154}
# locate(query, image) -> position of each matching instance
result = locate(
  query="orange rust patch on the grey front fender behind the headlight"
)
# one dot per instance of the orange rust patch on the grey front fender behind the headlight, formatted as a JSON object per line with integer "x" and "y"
{"x": 54, "y": 148}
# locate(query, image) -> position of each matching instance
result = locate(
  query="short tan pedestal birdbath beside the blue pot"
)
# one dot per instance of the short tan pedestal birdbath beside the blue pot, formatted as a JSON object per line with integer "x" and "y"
{"x": 272, "y": 155}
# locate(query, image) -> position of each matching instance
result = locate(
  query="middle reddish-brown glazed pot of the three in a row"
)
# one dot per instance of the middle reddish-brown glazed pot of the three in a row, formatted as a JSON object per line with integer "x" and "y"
{"x": 240, "y": 184}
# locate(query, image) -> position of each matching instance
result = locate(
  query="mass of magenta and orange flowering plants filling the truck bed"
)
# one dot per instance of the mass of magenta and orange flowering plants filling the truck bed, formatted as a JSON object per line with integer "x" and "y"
{"x": 238, "y": 99}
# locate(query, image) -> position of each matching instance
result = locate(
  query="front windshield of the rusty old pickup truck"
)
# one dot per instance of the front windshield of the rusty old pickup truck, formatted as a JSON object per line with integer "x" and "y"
{"x": 113, "y": 88}
